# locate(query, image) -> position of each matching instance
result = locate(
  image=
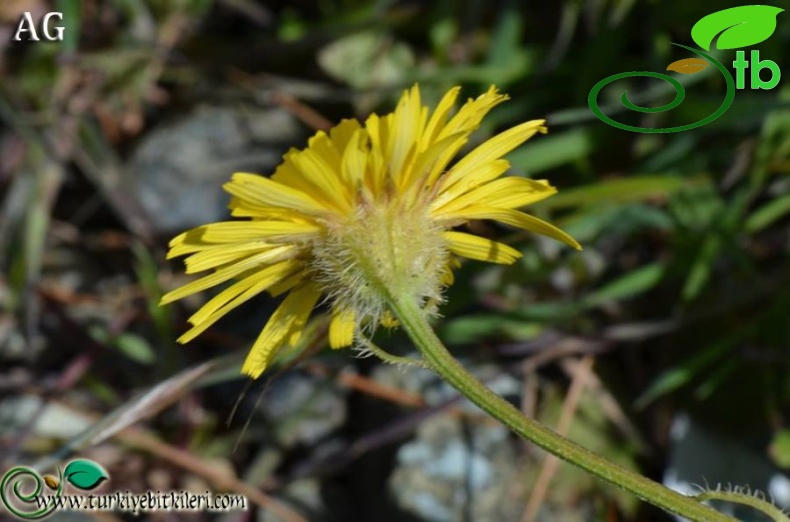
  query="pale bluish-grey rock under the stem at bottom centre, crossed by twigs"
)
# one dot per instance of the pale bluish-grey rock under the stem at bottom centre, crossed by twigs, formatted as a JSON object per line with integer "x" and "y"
{"x": 456, "y": 467}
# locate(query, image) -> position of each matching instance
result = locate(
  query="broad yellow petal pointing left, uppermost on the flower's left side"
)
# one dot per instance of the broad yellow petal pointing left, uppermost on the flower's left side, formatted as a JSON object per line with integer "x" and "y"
{"x": 267, "y": 192}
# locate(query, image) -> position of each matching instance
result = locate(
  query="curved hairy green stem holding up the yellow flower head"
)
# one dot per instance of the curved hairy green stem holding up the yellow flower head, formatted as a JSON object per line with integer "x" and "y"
{"x": 413, "y": 320}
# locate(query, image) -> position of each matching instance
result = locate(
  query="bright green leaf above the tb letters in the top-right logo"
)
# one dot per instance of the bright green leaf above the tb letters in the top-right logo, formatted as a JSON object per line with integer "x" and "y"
{"x": 739, "y": 26}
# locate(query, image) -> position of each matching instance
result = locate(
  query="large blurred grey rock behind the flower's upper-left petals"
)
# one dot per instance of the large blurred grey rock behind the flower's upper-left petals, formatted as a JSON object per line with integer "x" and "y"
{"x": 179, "y": 168}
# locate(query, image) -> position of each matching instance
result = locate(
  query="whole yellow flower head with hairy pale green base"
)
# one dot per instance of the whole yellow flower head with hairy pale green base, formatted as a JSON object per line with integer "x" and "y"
{"x": 362, "y": 211}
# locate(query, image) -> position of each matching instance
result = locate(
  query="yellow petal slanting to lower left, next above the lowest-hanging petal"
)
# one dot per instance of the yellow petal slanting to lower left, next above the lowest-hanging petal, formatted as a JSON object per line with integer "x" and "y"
{"x": 233, "y": 296}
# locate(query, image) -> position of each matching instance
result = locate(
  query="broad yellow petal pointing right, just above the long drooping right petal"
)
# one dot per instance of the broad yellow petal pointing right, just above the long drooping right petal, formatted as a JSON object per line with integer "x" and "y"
{"x": 510, "y": 192}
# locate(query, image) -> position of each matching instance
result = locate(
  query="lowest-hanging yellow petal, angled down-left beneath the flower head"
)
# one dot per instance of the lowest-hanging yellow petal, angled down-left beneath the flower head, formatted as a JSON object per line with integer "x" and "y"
{"x": 292, "y": 313}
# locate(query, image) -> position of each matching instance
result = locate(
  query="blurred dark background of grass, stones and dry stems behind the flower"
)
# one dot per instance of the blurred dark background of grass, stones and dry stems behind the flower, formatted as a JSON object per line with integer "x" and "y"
{"x": 675, "y": 314}
